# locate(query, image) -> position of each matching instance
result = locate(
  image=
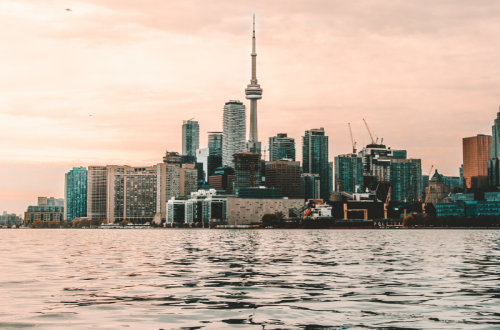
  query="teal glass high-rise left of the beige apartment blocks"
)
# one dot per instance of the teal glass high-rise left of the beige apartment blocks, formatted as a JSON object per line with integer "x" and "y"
{"x": 75, "y": 193}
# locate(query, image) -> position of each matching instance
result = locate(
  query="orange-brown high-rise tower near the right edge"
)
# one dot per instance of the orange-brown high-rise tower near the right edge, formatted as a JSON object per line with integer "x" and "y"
{"x": 476, "y": 153}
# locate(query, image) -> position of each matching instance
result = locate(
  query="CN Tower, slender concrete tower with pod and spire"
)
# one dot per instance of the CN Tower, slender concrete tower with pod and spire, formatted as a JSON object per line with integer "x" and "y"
{"x": 253, "y": 93}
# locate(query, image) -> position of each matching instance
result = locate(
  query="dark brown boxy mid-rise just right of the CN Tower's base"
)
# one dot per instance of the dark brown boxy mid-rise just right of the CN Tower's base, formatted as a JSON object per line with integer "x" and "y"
{"x": 285, "y": 175}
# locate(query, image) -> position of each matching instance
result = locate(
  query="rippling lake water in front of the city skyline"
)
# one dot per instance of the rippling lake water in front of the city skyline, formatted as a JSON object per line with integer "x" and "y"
{"x": 249, "y": 279}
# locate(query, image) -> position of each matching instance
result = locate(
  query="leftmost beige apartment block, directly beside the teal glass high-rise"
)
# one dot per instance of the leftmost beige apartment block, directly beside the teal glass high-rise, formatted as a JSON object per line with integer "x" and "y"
{"x": 97, "y": 189}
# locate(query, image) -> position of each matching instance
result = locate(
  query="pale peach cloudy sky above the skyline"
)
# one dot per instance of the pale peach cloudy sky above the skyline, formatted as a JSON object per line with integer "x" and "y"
{"x": 110, "y": 81}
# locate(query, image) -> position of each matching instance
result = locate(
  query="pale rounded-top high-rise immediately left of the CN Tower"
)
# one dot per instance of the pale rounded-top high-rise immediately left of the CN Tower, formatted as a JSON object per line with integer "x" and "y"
{"x": 234, "y": 131}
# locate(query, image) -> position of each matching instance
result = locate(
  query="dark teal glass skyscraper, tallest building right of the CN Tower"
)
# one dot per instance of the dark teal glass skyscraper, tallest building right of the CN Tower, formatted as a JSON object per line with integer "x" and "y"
{"x": 315, "y": 158}
